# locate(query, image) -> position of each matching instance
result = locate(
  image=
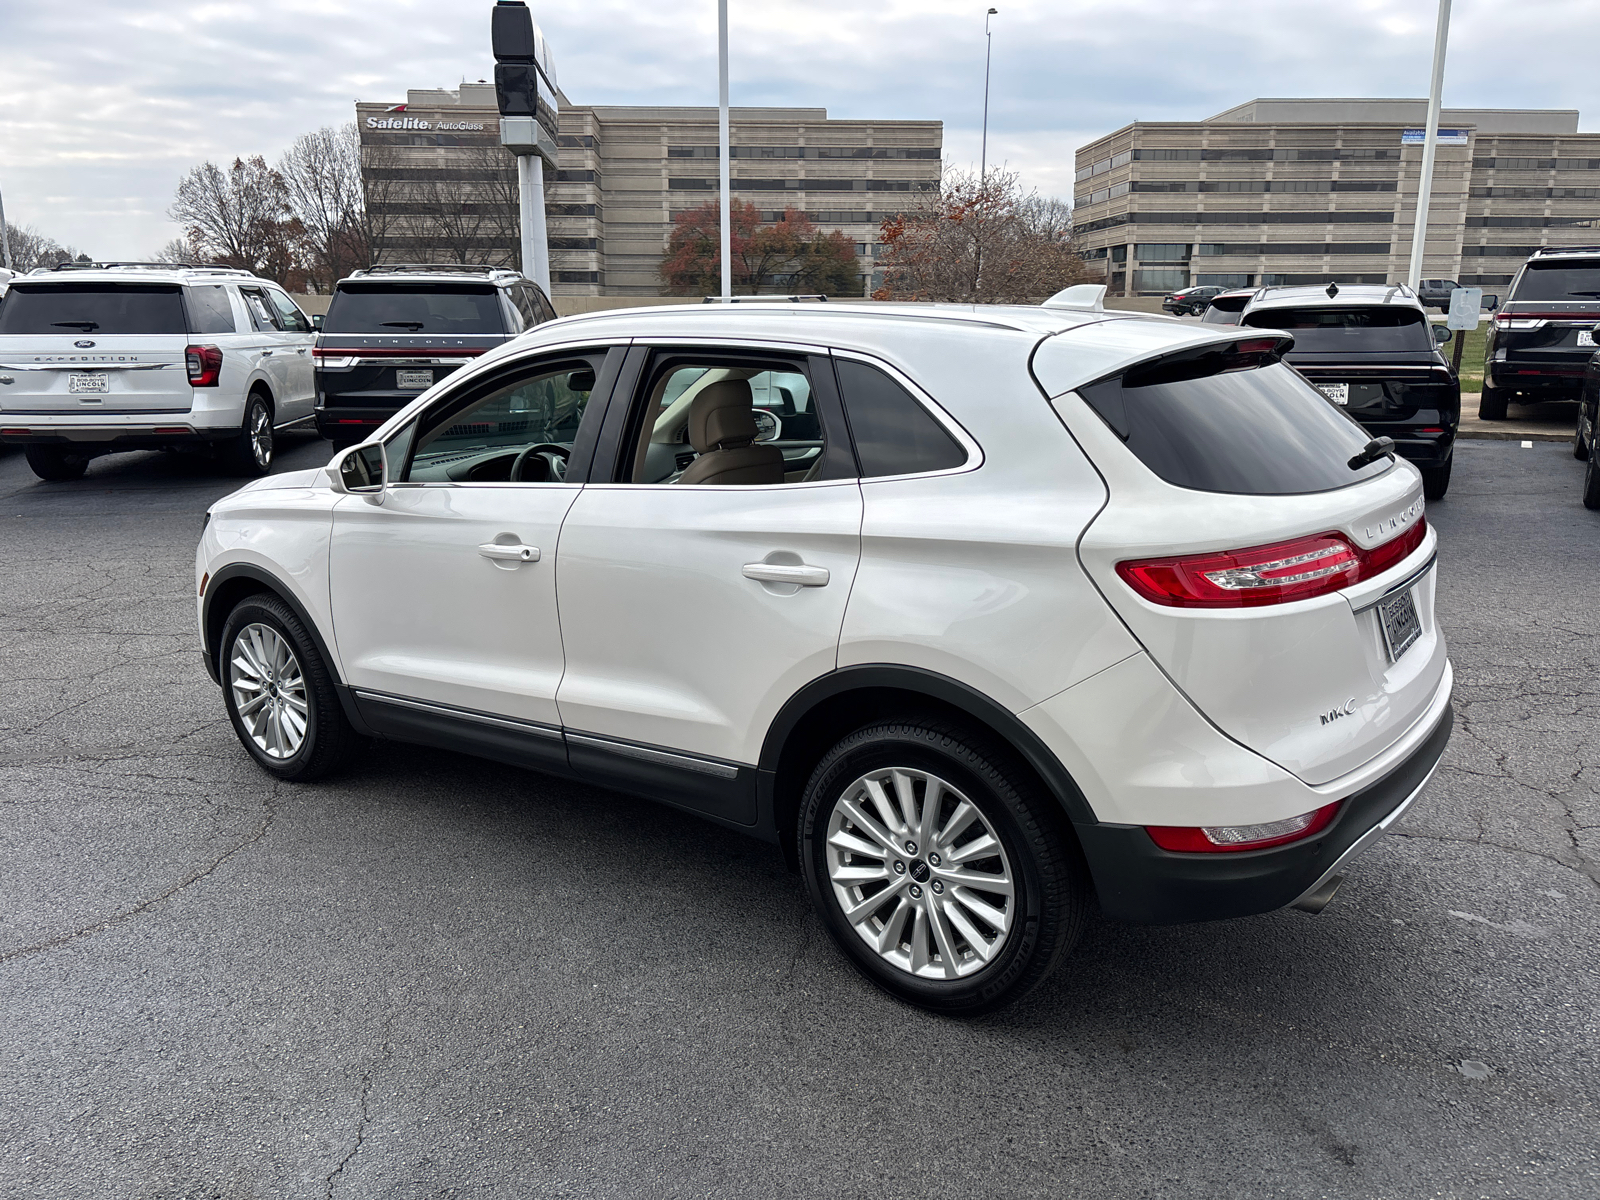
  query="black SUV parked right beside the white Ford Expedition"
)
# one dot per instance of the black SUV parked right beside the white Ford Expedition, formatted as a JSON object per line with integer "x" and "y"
{"x": 394, "y": 332}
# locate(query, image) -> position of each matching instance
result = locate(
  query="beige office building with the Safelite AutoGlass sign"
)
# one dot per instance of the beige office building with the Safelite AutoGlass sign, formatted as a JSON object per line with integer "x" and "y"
{"x": 625, "y": 175}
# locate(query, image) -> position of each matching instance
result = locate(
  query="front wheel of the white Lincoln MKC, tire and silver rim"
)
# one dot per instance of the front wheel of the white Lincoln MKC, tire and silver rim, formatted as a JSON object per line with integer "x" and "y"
{"x": 281, "y": 695}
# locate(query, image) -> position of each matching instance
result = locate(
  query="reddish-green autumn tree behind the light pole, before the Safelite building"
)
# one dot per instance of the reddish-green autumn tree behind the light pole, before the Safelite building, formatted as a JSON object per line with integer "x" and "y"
{"x": 790, "y": 254}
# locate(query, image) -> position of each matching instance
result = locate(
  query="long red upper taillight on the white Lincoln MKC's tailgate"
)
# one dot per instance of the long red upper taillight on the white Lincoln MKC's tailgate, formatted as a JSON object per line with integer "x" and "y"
{"x": 1266, "y": 575}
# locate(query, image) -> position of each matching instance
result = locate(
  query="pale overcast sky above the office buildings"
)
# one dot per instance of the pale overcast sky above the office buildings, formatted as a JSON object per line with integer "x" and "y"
{"x": 106, "y": 103}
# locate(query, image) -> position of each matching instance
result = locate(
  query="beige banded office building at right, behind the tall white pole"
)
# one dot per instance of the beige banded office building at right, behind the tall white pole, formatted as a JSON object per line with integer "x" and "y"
{"x": 1303, "y": 191}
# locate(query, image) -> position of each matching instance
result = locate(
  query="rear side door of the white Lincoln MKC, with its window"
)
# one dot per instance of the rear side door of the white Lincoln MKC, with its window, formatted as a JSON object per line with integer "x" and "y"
{"x": 694, "y": 610}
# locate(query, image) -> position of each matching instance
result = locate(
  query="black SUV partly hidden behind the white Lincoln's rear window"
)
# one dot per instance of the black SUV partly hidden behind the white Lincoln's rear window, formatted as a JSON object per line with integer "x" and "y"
{"x": 1374, "y": 353}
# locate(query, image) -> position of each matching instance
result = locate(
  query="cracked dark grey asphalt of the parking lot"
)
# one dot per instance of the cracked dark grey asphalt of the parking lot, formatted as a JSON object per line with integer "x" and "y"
{"x": 436, "y": 977}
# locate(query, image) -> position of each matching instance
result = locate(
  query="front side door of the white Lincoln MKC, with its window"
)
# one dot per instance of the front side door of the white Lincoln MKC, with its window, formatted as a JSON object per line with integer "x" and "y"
{"x": 444, "y": 593}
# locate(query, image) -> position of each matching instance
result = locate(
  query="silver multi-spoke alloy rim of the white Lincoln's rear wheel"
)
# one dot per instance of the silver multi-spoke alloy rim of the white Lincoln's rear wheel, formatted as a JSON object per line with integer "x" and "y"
{"x": 921, "y": 874}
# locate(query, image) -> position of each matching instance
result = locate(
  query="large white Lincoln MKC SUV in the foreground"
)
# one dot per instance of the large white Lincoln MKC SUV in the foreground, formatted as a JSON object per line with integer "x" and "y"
{"x": 1041, "y": 606}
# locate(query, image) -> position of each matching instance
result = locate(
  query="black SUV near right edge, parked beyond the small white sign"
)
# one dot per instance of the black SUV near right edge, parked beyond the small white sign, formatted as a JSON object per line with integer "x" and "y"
{"x": 1543, "y": 337}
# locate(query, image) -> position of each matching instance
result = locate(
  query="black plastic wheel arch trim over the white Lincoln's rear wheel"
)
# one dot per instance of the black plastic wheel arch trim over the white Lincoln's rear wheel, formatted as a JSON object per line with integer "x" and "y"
{"x": 846, "y": 700}
